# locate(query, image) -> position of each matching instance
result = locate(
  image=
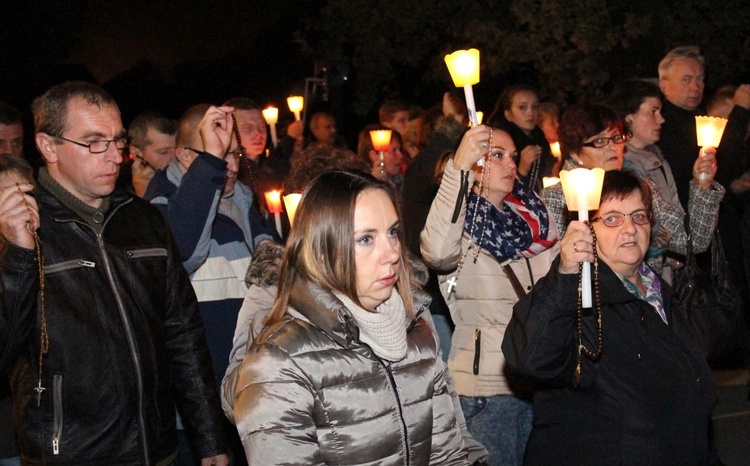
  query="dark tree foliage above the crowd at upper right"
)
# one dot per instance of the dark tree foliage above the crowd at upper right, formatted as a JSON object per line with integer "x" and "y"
{"x": 571, "y": 50}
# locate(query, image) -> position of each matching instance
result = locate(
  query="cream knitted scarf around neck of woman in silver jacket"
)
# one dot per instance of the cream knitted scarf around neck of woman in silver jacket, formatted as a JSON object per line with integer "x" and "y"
{"x": 384, "y": 330}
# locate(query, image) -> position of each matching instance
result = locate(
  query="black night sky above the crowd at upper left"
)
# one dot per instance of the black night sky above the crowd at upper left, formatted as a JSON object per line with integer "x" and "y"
{"x": 153, "y": 51}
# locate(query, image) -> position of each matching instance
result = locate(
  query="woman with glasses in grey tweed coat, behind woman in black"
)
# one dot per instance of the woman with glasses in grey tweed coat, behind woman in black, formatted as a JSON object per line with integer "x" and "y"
{"x": 592, "y": 136}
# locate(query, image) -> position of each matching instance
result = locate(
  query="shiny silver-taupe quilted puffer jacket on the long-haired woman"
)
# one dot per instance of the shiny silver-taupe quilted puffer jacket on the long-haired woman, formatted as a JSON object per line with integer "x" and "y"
{"x": 309, "y": 392}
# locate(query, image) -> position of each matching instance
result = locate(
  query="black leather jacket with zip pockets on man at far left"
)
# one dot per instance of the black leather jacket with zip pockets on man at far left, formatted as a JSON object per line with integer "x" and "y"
{"x": 126, "y": 341}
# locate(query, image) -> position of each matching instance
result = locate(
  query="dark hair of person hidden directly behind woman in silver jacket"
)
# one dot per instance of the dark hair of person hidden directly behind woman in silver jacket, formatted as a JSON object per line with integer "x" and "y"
{"x": 317, "y": 159}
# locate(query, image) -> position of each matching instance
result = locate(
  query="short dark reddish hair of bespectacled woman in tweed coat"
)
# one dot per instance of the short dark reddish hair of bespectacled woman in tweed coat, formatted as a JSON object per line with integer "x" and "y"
{"x": 580, "y": 122}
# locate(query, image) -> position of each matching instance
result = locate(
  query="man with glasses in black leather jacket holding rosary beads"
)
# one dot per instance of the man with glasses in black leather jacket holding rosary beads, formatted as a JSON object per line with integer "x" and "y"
{"x": 110, "y": 342}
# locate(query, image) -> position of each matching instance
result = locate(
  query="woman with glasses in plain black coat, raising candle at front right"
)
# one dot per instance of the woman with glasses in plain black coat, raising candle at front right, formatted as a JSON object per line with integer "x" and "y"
{"x": 626, "y": 381}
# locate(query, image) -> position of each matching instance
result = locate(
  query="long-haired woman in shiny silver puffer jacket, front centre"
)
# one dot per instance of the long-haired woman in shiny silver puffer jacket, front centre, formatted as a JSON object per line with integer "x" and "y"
{"x": 347, "y": 370}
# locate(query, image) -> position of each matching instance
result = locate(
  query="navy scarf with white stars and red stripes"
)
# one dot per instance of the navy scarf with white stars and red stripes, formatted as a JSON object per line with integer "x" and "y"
{"x": 521, "y": 229}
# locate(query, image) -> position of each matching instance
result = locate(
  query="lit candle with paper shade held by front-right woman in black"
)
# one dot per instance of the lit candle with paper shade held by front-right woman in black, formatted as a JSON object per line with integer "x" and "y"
{"x": 583, "y": 189}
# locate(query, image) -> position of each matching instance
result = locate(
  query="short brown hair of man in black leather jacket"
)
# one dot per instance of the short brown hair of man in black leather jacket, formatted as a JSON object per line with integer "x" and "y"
{"x": 51, "y": 108}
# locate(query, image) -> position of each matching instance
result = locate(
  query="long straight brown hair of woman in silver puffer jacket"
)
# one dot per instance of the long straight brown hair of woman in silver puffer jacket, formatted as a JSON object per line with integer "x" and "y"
{"x": 320, "y": 247}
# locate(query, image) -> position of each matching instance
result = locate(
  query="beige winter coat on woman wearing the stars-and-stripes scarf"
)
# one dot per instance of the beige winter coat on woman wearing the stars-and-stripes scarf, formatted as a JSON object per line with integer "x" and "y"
{"x": 481, "y": 304}
